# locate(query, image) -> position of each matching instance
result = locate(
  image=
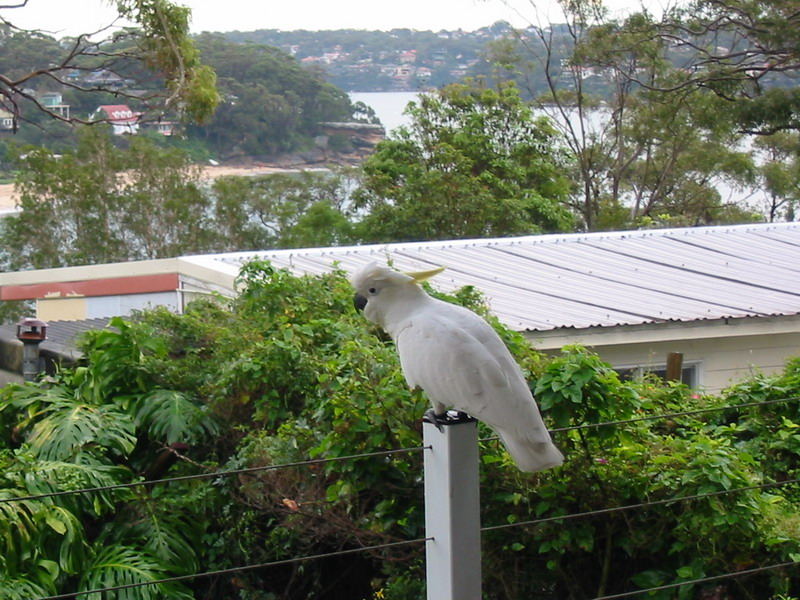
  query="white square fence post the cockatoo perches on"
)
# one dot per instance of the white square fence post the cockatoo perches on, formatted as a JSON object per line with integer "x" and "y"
{"x": 452, "y": 511}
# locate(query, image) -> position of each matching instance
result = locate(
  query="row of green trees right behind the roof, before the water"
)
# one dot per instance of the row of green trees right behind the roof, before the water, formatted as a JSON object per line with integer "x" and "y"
{"x": 472, "y": 162}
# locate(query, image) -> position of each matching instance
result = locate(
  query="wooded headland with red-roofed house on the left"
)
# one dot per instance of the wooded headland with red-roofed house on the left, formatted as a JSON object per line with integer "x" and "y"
{"x": 271, "y": 104}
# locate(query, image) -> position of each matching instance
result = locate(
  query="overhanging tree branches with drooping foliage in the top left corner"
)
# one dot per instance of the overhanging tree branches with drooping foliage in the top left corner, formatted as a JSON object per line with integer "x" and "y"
{"x": 161, "y": 43}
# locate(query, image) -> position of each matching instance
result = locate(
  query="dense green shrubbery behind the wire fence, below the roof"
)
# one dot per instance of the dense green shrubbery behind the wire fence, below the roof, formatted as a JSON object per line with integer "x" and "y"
{"x": 290, "y": 371}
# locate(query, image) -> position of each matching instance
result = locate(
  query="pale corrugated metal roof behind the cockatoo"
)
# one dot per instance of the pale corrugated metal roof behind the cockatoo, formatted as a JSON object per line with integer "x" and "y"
{"x": 545, "y": 282}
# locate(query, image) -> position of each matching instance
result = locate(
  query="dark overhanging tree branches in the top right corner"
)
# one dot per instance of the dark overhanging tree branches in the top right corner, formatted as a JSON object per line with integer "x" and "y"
{"x": 743, "y": 50}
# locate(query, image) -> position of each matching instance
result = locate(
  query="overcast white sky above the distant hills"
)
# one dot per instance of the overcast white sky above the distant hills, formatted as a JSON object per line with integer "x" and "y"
{"x": 70, "y": 17}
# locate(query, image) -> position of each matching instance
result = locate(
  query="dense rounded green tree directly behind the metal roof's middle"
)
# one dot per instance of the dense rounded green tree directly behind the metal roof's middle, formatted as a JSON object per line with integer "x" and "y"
{"x": 473, "y": 163}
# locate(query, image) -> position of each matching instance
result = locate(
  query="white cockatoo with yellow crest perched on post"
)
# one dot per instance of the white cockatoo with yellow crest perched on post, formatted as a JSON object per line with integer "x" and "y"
{"x": 458, "y": 360}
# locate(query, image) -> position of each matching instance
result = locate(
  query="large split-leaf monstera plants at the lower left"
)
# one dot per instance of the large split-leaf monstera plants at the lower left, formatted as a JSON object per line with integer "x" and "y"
{"x": 97, "y": 425}
